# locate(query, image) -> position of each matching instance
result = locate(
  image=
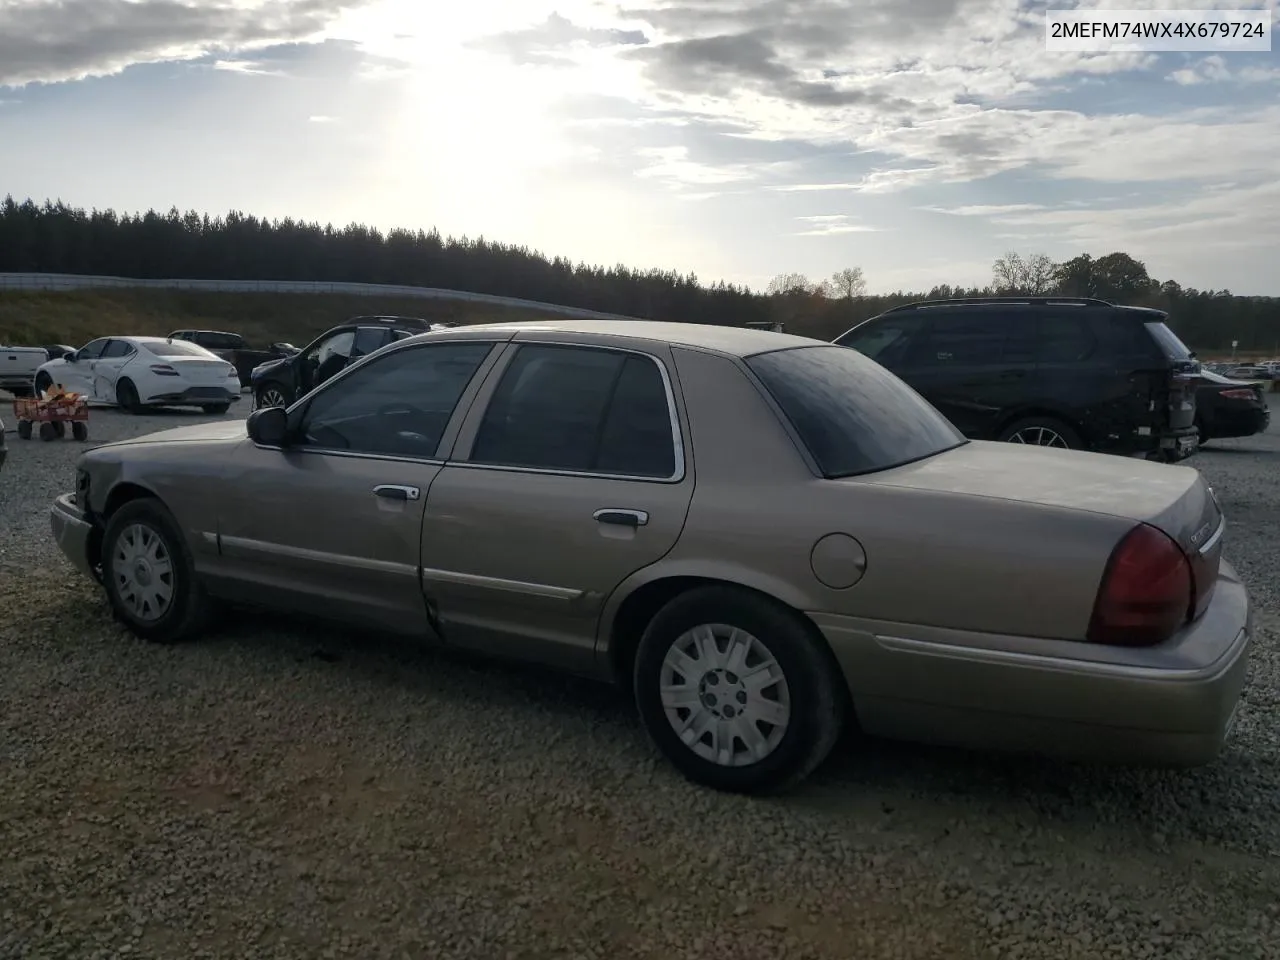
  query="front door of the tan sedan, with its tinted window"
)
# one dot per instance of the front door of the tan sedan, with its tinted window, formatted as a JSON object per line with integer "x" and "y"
{"x": 332, "y": 523}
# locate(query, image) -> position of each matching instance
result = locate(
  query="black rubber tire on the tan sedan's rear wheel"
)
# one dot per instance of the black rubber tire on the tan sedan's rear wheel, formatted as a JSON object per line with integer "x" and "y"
{"x": 817, "y": 694}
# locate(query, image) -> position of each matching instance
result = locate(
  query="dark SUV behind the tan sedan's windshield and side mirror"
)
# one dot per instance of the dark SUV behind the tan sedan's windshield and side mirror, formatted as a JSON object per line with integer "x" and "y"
{"x": 281, "y": 382}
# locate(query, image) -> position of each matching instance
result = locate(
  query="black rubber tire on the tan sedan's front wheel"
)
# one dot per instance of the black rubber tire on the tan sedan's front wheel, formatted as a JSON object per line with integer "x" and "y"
{"x": 188, "y": 611}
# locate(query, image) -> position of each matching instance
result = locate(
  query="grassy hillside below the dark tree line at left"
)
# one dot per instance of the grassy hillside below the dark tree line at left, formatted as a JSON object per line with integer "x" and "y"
{"x": 77, "y": 317}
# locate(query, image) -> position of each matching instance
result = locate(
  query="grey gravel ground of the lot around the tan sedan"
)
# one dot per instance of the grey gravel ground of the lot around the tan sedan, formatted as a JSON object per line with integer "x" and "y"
{"x": 286, "y": 793}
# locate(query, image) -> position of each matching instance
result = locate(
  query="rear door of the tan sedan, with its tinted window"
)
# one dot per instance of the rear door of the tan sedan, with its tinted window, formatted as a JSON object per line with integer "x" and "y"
{"x": 569, "y": 476}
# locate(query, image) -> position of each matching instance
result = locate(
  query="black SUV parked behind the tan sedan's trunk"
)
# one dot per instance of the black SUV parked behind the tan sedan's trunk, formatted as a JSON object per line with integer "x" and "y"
{"x": 1075, "y": 373}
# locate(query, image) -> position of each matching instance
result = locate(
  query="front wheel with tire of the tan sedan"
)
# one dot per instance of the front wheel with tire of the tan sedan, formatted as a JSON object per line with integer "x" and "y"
{"x": 149, "y": 574}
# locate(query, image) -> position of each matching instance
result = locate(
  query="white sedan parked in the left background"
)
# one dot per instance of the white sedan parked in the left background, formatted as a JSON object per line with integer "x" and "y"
{"x": 145, "y": 372}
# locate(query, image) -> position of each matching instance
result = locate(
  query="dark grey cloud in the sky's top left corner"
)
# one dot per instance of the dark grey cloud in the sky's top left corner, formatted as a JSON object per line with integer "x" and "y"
{"x": 47, "y": 42}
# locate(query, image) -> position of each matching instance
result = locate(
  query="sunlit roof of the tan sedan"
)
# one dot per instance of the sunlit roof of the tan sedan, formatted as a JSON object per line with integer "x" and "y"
{"x": 734, "y": 341}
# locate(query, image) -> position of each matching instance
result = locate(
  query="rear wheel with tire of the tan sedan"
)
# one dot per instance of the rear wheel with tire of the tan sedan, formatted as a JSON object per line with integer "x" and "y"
{"x": 738, "y": 692}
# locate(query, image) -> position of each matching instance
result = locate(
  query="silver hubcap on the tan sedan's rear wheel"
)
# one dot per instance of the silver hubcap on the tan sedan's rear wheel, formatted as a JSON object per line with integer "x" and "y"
{"x": 725, "y": 696}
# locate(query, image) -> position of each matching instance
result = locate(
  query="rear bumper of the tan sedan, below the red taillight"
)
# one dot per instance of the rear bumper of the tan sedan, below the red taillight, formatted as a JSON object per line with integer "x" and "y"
{"x": 1168, "y": 706}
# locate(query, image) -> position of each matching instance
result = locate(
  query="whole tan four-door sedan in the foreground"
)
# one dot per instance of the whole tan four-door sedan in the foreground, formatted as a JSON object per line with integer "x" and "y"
{"x": 761, "y": 537}
